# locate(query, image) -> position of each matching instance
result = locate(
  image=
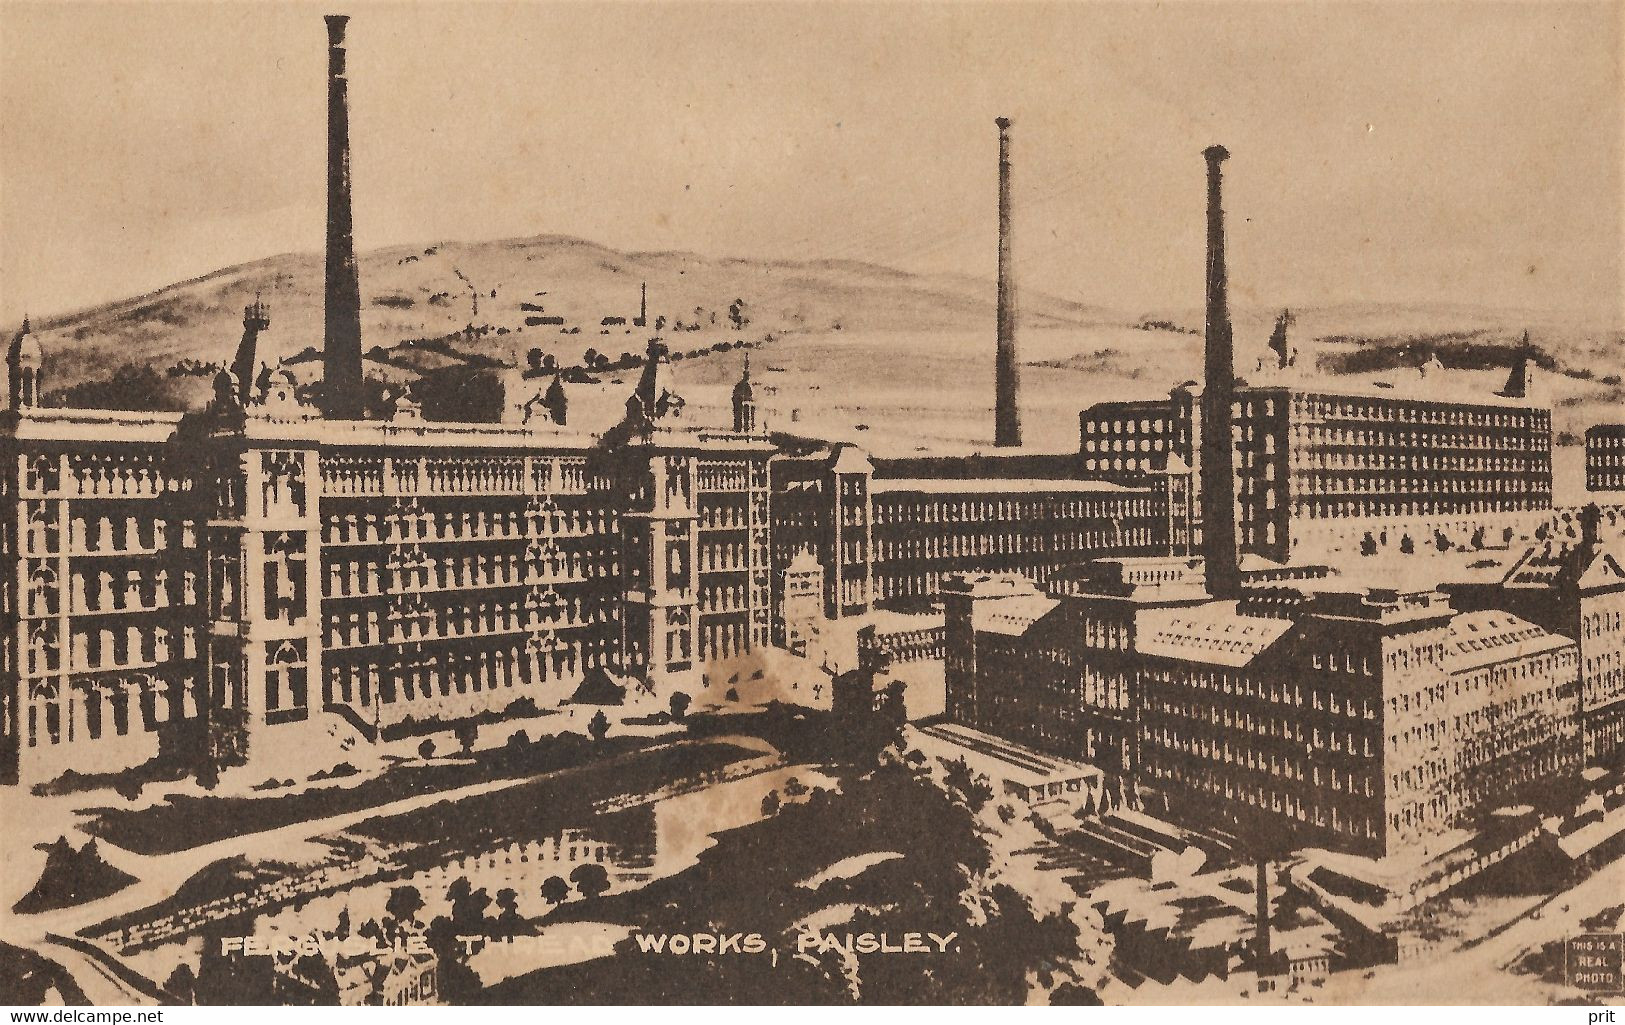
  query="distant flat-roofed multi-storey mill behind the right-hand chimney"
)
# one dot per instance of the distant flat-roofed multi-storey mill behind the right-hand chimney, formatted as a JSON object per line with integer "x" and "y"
{"x": 1340, "y": 472}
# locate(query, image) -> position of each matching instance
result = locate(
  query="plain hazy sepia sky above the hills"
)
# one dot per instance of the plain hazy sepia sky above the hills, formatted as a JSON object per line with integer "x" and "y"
{"x": 1441, "y": 154}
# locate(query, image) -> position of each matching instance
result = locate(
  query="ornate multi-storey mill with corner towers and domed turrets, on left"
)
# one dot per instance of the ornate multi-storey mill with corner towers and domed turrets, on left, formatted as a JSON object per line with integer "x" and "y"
{"x": 199, "y": 586}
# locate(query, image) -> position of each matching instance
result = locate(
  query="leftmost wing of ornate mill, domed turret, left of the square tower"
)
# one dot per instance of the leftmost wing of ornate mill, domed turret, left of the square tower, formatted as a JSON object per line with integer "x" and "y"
{"x": 103, "y": 589}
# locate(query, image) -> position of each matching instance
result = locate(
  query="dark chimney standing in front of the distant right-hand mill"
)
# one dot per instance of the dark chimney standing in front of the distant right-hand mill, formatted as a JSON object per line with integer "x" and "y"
{"x": 1218, "y": 470}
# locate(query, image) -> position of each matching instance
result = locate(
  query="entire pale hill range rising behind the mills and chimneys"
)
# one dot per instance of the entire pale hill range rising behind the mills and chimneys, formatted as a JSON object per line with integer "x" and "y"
{"x": 898, "y": 361}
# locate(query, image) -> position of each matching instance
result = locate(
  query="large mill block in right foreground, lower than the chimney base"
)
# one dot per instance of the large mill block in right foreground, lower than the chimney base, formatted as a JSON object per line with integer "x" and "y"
{"x": 1371, "y": 722}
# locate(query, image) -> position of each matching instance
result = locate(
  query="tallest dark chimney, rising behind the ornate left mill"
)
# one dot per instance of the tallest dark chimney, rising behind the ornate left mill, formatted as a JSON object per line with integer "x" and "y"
{"x": 342, "y": 337}
